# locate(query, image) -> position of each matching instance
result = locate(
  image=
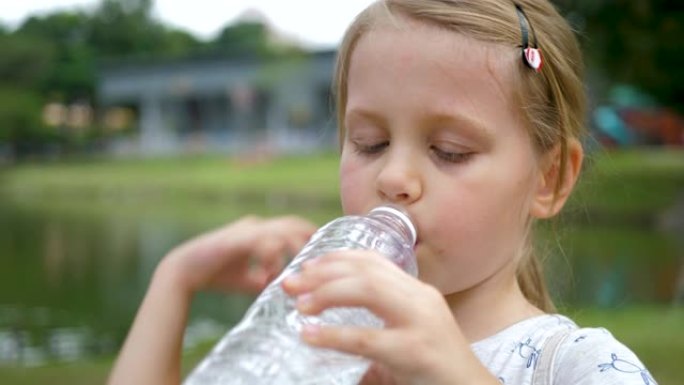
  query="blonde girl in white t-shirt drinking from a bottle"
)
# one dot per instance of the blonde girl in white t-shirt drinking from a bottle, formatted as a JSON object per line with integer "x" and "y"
{"x": 468, "y": 114}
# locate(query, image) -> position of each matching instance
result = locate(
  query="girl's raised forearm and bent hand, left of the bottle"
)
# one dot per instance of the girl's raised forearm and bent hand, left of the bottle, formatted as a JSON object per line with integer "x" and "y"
{"x": 243, "y": 256}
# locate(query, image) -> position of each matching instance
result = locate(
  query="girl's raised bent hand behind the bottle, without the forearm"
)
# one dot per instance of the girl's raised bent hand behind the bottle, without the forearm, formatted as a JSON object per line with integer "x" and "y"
{"x": 243, "y": 256}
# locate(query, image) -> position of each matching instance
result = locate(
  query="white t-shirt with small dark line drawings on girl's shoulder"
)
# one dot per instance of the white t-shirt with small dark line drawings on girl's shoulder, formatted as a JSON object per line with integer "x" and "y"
{"x": 587, "y": 356}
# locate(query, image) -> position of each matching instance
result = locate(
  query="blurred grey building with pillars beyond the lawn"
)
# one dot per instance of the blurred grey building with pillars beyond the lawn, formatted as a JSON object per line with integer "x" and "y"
{"x": 217, "y": 104}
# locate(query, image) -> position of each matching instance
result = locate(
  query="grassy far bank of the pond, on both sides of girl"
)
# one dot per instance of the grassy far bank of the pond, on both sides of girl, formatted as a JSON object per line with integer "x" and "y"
{"x": 631, "y": 183}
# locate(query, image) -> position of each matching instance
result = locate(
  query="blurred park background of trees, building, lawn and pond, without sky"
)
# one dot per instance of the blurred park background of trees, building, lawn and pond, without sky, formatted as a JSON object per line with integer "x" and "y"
{"x": 97, "y": 184}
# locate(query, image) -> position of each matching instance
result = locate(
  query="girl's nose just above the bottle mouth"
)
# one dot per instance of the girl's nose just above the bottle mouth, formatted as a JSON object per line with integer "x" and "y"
{"x": 399, "y": 181}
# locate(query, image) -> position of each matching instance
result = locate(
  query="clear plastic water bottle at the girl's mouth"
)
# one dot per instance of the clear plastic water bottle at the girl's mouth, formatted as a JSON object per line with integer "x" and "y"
{"x": 265, "y": 347}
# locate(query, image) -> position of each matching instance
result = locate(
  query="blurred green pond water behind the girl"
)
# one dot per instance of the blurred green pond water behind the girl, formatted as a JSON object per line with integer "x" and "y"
{"x": 71, "y": 278}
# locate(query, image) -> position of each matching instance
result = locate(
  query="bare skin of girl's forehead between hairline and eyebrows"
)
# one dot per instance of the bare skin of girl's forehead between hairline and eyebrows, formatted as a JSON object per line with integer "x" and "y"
{"x": 417, "y": 52}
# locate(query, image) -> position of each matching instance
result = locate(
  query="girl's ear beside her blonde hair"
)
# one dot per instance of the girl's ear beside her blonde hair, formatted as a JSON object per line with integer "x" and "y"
{"x": 552, "y": 193}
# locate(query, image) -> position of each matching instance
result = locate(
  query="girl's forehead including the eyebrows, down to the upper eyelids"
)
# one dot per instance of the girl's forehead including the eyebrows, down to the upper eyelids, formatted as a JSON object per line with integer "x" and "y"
{"x": 426, "y": 71}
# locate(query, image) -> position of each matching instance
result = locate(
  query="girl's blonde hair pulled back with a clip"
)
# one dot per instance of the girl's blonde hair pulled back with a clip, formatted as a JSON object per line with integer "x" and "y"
{"x": 552, "y": 102}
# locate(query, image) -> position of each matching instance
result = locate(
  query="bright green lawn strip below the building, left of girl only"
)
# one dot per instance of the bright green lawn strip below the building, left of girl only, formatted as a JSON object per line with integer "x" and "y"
{"x": 206, "y": 178}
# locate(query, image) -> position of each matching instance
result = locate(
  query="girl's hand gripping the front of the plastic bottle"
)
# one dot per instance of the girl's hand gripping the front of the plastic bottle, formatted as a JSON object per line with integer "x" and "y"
{"x": 421, "y": 342}
